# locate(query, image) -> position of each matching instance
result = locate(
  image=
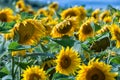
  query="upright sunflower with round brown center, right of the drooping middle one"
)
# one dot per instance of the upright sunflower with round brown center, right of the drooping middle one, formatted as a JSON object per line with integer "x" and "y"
{"x": 85, "y": 31}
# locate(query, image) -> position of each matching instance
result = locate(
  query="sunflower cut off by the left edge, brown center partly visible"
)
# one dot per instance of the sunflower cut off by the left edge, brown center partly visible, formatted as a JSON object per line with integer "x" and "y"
{"x": 6, "y": 15}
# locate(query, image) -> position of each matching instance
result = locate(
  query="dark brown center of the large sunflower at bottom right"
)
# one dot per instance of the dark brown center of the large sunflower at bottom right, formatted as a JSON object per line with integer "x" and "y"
{"x": 95, "y": 74}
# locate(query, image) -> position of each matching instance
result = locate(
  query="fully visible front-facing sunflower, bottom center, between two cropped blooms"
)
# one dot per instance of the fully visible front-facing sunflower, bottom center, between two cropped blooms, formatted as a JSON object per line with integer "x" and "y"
{"x": 67, "y": 61}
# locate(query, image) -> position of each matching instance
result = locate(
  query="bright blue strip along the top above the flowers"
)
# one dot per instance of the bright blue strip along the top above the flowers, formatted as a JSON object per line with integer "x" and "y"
{"x": 88, "y": 3}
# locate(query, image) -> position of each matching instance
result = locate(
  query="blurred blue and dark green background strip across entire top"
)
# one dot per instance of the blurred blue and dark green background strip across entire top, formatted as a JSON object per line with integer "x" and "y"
{"x": 66, "y": 3}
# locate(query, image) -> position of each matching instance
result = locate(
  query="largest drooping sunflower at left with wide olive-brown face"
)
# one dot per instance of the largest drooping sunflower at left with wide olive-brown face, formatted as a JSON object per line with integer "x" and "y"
{"x": 29, "y": 31}
